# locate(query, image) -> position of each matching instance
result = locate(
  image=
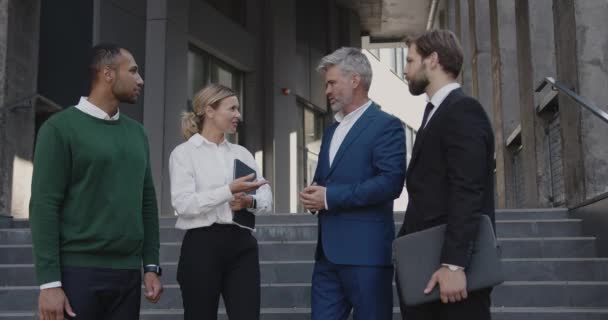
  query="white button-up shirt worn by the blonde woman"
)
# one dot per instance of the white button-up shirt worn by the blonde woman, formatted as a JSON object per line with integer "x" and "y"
{"x": 201, "y": 172}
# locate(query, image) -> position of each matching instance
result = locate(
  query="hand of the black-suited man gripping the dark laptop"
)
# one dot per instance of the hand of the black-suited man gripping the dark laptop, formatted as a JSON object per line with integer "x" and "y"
{"x": 452, "y": 285}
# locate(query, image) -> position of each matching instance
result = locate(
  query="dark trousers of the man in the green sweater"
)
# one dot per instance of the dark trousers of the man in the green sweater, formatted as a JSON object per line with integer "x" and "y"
{"x": 102, "y": 294}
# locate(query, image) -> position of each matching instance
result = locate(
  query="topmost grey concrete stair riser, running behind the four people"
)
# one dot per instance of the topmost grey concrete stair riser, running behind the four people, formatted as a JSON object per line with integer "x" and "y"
{"x": 308, "y": 231}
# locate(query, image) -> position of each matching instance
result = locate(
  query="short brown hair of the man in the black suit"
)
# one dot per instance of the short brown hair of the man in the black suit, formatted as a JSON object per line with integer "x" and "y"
{"x": 445, "y": 44}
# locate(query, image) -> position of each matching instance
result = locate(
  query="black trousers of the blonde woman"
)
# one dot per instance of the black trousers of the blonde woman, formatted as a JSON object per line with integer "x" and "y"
{"x": 219, "y": 259}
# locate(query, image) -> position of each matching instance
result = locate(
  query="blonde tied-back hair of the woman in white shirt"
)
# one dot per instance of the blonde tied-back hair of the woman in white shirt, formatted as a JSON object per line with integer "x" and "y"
{"x": 211, "y": 95}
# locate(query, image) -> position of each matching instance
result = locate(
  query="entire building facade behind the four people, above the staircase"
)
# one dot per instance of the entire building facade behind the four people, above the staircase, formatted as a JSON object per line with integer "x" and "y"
{"x": 550, "y": 151}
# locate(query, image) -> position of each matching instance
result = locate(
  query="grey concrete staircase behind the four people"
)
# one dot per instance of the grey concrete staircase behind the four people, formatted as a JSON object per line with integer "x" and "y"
{"x": 553, "y": 272}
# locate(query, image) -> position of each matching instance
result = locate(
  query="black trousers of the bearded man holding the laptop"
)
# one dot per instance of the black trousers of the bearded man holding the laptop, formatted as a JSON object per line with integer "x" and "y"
{"x": 475, "y": 307}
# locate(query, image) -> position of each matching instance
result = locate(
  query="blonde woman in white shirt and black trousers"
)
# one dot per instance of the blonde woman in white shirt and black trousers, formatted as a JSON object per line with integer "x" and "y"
{"x": 217, "y": 256}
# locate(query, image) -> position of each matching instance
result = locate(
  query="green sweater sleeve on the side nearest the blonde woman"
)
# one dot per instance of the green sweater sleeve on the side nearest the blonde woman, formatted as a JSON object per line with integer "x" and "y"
{"x": 150, "y": 216}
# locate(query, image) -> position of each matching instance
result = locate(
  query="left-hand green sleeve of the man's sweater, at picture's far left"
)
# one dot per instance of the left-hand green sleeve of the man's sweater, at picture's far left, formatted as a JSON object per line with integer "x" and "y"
{"x": 52, "y": 163}
